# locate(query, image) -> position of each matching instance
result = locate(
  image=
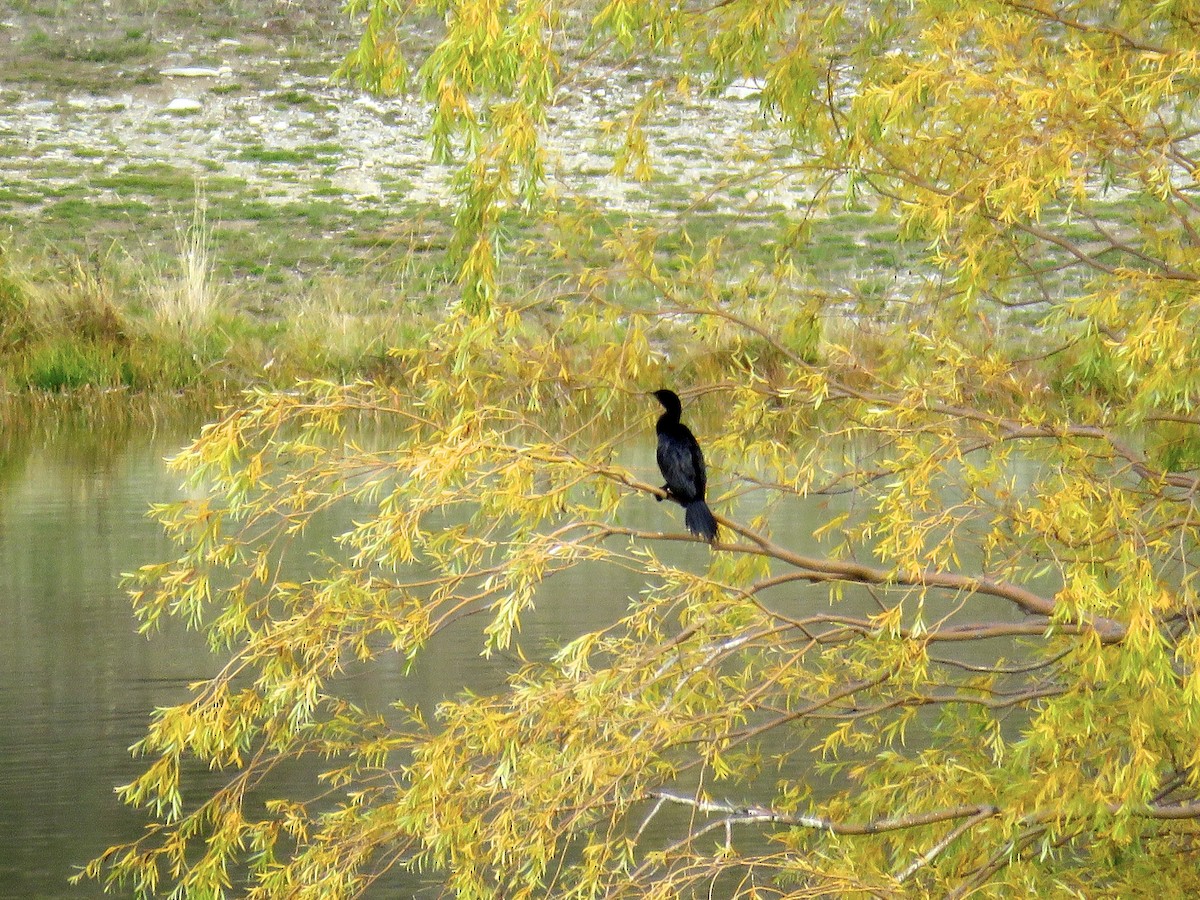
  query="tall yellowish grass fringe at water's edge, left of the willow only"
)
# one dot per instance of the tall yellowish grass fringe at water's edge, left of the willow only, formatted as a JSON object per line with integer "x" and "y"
{"x": 116, "y": 322}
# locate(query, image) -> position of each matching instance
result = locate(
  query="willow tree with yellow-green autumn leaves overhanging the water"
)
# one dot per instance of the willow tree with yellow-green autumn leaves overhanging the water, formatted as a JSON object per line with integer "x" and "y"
{"x": 971, "y": 671}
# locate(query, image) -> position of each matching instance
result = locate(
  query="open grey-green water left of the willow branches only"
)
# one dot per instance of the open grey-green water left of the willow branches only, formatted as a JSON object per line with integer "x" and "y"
{"x": 79, "y": 682}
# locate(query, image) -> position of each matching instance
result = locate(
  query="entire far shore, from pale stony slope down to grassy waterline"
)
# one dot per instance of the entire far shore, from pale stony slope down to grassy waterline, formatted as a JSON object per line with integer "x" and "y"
{"x": 291, "y": 227}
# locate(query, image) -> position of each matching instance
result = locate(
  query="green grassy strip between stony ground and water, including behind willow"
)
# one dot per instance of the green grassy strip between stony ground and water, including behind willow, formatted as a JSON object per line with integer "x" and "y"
{"x": 188, "y": 315}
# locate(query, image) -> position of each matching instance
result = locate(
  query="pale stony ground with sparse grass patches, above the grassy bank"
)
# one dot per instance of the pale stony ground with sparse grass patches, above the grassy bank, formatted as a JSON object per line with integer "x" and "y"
{"x": 117, "y": 113}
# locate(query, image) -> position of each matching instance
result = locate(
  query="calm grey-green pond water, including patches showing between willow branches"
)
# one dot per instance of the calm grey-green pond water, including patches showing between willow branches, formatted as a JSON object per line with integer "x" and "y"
{"x": 80, "y": 683}
